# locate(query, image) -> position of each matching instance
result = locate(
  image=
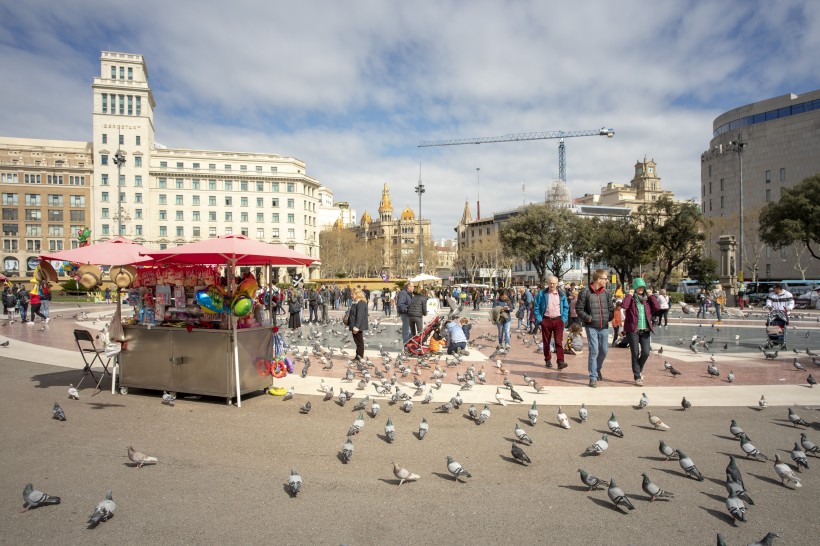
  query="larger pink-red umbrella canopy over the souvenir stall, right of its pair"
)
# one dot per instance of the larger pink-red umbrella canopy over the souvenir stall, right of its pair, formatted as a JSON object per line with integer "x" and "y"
{"x": 230, "y": 250}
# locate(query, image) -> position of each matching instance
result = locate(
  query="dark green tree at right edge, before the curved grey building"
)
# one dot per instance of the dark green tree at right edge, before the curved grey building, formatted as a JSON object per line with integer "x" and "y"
{"x": 795, "y": 218}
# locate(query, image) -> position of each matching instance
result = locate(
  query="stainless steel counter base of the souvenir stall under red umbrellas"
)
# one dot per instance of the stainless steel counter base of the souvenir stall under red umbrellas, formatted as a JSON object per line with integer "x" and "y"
{"x": 196, "y": 362}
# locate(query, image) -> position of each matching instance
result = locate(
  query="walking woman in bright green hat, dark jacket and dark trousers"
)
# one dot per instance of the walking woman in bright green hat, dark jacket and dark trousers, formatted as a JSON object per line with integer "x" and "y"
{"x": 638, "y": 308}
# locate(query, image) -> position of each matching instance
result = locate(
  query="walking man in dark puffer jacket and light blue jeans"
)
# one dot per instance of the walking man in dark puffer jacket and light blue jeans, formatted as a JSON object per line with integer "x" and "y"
{"x": 594, "y": 308}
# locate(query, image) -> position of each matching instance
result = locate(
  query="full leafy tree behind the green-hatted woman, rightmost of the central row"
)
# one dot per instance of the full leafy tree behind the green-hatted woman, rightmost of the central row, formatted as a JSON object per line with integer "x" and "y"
{"x": 672, "y": 233}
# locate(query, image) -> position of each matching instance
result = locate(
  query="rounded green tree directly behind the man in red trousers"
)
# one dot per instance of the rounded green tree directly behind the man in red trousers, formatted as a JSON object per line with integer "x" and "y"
{"x": 542, "y": 235}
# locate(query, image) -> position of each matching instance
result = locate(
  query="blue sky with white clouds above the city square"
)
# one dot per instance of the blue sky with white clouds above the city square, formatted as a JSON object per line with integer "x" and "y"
{"x": 352, "y": 87}
